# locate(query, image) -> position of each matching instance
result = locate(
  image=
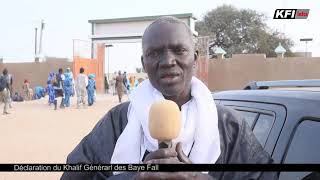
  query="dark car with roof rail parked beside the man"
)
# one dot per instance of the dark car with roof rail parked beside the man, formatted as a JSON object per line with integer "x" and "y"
{"x": 284, "y": 116}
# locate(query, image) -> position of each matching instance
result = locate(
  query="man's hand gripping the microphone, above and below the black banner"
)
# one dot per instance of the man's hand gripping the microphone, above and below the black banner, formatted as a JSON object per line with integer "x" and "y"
{"x": 170, "y": 156}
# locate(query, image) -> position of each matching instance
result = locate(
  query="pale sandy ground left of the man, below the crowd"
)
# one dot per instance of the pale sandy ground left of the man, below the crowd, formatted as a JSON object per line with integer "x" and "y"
{"x": 35, "y": 133}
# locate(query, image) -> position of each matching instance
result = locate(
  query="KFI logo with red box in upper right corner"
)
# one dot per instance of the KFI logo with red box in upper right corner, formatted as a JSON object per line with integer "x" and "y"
{"x": 291, "y": 14}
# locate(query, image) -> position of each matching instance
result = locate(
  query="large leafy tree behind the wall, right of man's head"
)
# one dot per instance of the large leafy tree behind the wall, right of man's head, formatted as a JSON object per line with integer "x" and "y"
{"x": 241, "y": 31}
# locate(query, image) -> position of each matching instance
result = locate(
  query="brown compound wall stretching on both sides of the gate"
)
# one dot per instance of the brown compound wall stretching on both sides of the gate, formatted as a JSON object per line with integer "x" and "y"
{"x": 217, "y": 74}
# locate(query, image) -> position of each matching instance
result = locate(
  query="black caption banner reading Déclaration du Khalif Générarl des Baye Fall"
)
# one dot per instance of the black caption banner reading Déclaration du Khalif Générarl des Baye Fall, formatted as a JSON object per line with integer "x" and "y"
{"x": 156, "y": 167}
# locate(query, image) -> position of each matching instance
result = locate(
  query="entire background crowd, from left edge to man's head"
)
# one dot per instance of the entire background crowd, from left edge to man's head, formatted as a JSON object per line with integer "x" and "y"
{"x": 62, "y": 85}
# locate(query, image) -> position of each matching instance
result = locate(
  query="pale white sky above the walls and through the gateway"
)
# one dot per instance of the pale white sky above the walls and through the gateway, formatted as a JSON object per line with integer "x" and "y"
{"x": 68, "y": 19}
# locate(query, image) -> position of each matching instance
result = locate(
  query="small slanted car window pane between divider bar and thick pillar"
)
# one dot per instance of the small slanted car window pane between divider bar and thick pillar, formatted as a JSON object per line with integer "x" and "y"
{"x": 262, "y": 127}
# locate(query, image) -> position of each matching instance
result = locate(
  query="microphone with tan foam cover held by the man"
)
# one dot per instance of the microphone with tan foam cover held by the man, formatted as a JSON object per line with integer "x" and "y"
{"x": 164, "y": 122}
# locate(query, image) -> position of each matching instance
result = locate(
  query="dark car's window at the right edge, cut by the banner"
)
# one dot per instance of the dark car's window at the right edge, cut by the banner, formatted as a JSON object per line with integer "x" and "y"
{"x": 304, "y": 148}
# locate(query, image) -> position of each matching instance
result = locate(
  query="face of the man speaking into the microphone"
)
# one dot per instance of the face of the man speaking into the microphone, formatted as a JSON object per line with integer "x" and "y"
{"x": 168, "y": 58}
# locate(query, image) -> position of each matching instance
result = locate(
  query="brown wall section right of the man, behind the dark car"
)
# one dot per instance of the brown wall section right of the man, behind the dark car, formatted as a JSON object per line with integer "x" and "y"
{"x": 236, "y": 72}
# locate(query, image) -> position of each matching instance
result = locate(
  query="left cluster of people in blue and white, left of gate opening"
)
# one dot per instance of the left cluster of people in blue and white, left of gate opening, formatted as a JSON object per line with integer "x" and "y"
{"x": 59, "y": 85}
